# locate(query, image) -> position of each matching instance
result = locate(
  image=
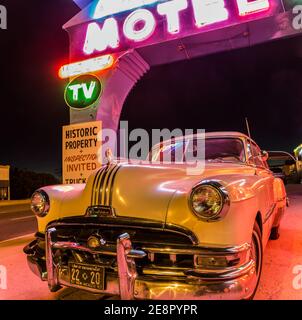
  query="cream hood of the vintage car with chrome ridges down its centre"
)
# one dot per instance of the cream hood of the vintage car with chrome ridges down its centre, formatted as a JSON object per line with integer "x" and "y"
{"x": 145, "y": 191}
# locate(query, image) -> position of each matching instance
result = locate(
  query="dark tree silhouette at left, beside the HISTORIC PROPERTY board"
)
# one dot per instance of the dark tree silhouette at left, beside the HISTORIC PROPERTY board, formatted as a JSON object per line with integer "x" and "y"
{"x": 23, "y": 182}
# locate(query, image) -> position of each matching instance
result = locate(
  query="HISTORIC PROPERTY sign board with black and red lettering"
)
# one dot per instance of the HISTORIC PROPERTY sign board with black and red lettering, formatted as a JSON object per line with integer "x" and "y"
{"x": 80, "y": 151}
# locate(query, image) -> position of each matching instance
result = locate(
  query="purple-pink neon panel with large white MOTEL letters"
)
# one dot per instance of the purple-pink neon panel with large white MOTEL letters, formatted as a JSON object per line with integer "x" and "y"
{"x": 115, "y": 26}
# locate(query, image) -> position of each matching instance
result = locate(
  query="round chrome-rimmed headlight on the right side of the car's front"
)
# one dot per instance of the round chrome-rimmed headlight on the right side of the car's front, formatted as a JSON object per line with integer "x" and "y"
{"x": 209, "y": 201}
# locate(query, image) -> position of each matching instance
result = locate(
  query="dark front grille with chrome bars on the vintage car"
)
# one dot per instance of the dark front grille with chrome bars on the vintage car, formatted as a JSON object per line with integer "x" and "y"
{"x": 166, "y": 249}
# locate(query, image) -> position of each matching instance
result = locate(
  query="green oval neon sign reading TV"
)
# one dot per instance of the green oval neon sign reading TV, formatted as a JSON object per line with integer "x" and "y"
{"x": 82, "y": 92}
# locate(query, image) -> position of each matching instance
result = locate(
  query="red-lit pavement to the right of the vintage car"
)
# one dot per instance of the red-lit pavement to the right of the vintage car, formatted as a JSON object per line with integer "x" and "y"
{"x": 281, "y": 257}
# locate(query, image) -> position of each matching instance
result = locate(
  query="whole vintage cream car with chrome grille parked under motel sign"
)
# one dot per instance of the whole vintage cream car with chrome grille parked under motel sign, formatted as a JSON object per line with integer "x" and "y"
{"x": 153, "y": 231}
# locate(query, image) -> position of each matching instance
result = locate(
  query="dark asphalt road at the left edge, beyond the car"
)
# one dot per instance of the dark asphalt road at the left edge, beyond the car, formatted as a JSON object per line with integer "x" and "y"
{"x": 15, "y": 221}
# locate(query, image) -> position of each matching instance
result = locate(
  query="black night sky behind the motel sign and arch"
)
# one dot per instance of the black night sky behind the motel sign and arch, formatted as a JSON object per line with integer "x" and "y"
{"x": 214, "y": 93}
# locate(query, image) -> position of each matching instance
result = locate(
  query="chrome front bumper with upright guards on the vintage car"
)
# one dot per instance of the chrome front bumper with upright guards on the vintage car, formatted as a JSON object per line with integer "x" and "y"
{"x": 228, "y": 284}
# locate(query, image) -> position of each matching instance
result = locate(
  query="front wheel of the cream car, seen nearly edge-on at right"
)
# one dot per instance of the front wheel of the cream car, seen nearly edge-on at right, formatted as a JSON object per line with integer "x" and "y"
{"x": 257, "y": 253}
